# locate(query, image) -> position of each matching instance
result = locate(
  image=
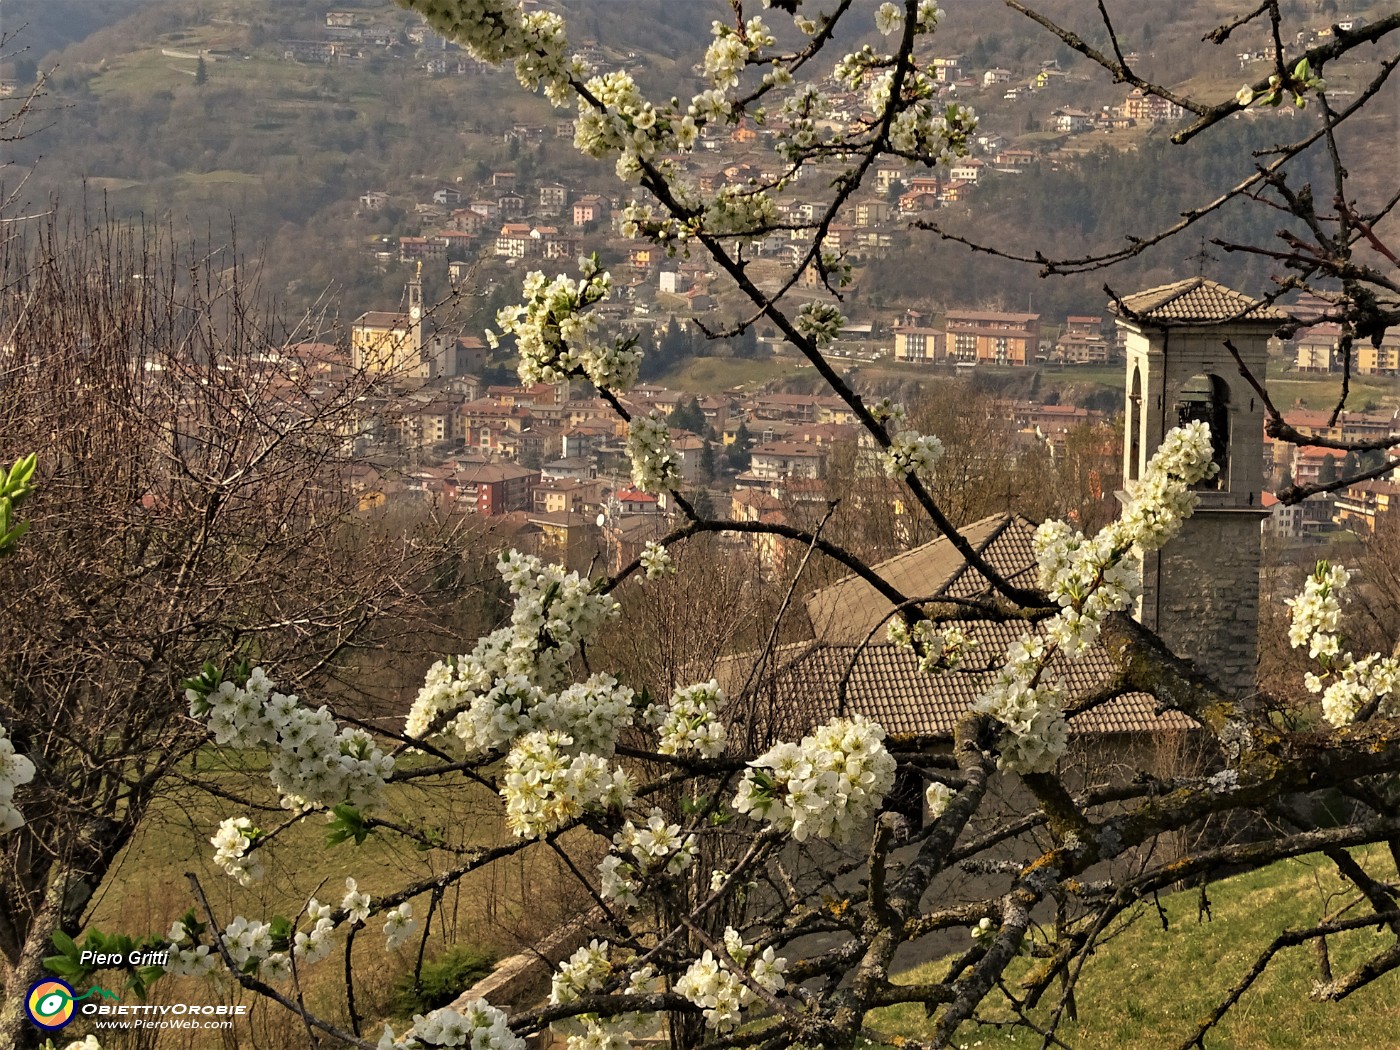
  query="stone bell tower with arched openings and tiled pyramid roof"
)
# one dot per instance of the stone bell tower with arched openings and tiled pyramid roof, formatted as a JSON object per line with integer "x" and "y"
{"x": 1200, "y": 593}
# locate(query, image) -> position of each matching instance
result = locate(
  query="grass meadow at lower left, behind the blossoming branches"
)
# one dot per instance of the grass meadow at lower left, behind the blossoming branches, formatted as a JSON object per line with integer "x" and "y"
{"x": 514, "y": 902}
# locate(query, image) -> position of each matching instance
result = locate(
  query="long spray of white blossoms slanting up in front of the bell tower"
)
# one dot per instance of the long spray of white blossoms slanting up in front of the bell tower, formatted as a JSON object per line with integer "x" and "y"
{"x": 1090, "y": 579}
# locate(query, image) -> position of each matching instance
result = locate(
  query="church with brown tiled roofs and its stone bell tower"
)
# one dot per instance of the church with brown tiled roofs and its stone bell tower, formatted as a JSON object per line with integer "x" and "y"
{"x": 1200, "y": 593}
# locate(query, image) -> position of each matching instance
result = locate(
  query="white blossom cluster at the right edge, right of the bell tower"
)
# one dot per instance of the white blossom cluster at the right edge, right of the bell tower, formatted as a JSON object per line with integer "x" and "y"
{"x": 1354, "y": 684}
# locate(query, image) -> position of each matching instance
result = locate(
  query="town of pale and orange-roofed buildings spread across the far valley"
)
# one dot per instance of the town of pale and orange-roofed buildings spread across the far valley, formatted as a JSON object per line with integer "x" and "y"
{"x": 549, "y": 460}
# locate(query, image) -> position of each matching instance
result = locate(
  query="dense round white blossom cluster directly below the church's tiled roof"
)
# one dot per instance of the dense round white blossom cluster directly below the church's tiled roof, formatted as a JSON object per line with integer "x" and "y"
{"x": 827, "y": 786}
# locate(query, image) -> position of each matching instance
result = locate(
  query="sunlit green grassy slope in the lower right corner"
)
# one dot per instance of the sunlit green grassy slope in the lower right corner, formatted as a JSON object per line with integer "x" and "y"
{"x": 1147, "y": 989}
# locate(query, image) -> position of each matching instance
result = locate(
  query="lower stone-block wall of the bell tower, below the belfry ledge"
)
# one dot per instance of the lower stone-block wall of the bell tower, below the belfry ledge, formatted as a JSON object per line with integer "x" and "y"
{"x": 1200, "y": 596}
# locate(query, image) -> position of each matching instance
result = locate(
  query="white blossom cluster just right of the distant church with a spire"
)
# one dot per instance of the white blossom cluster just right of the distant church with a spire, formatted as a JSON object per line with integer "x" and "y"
{"x": 558, "y": 337}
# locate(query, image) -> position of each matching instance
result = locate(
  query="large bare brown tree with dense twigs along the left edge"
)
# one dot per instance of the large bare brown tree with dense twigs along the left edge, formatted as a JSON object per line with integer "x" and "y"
{"x": 190, "y": 499}
